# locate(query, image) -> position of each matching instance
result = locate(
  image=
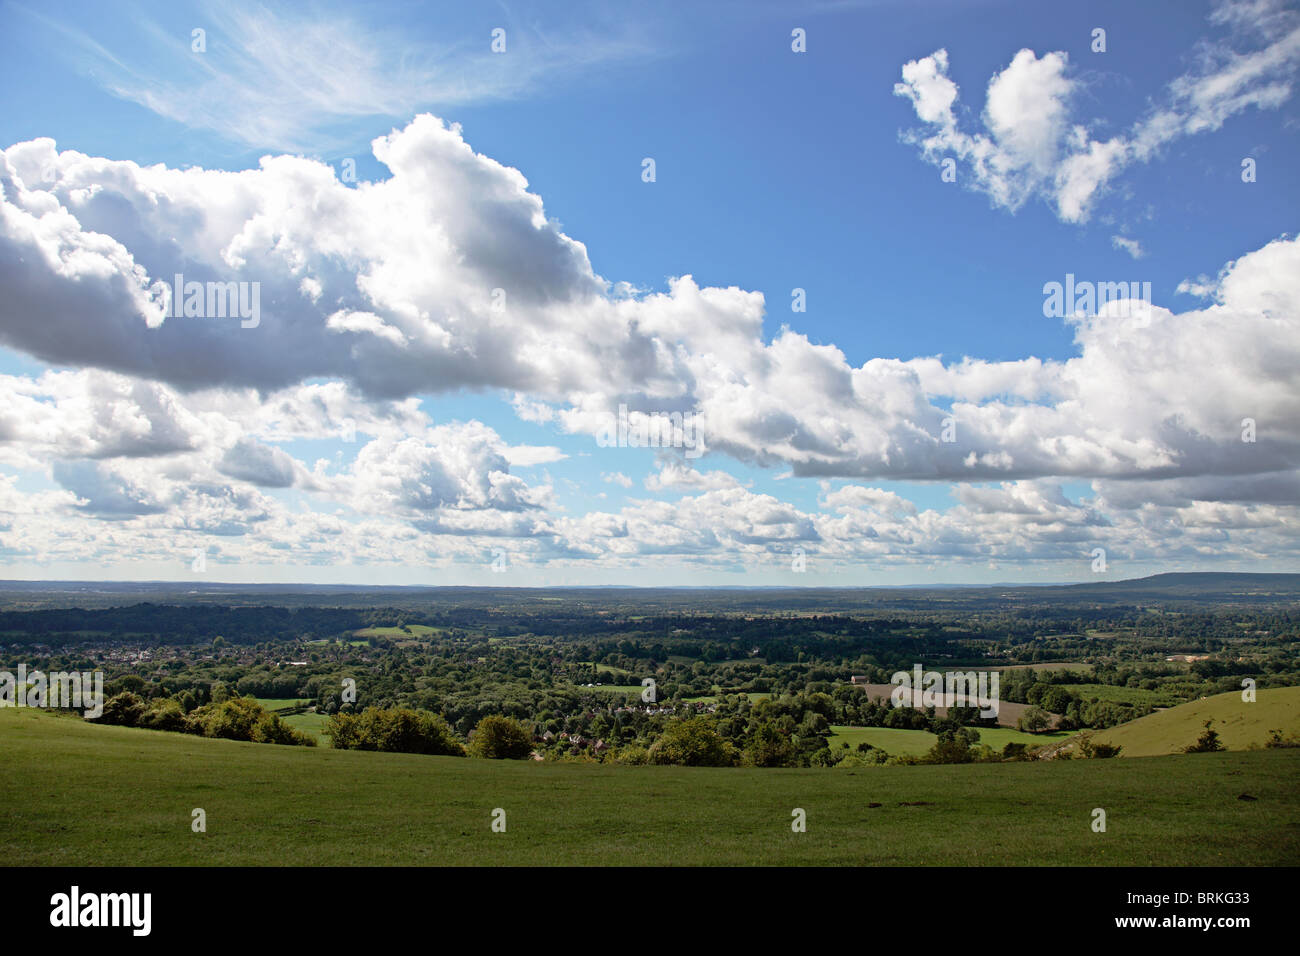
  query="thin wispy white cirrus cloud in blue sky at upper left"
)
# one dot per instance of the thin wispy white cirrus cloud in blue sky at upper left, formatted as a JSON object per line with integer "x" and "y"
{"x": 296, "y": 80}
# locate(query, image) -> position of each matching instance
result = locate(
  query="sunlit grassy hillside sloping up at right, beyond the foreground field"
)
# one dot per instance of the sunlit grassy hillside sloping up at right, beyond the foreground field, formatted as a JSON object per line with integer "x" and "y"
{"x": 1238, "y": 724}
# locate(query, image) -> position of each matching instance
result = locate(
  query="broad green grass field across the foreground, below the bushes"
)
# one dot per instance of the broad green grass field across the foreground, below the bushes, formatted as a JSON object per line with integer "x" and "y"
{"x": 77, "y": 794}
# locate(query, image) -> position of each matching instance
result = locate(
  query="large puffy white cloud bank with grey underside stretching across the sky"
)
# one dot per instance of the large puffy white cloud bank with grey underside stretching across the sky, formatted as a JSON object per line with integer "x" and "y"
{"x": 449, "y": 275}
